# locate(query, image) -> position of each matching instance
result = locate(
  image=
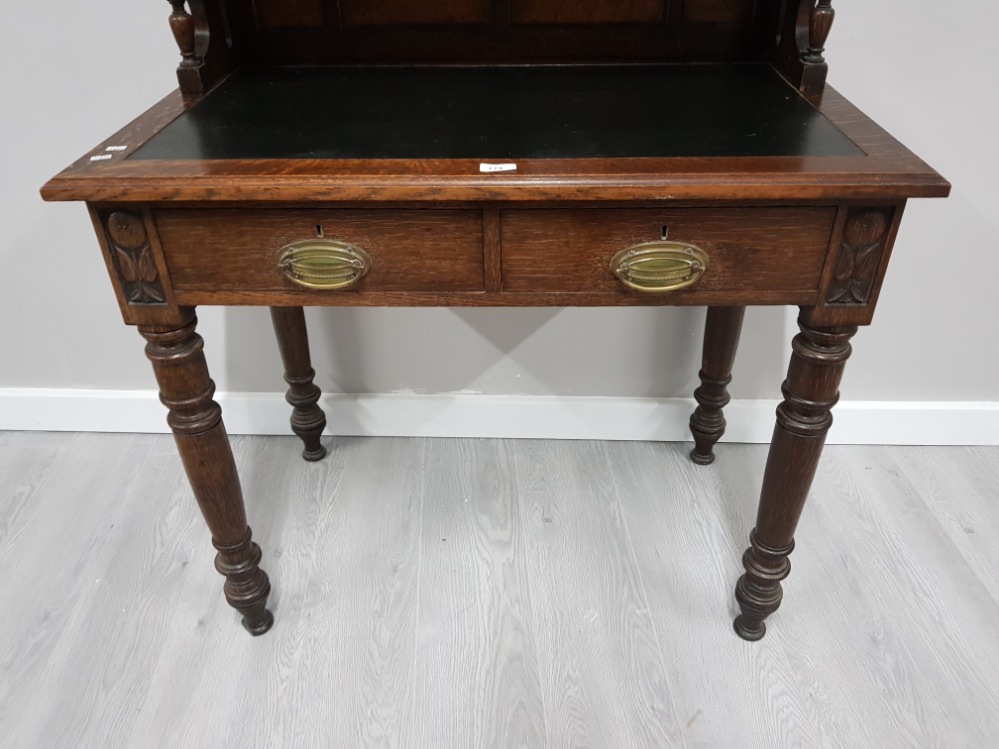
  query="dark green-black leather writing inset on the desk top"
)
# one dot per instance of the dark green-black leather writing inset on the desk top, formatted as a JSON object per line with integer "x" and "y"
{"x": 507, "y": 112}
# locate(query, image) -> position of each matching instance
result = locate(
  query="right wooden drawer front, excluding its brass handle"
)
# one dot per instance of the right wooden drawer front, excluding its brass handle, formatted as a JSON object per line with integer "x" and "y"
{"x": 762, "y": 249}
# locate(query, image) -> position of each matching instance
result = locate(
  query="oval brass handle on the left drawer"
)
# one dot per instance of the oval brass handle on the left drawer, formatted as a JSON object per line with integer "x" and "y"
{"x": 323, "y": 264}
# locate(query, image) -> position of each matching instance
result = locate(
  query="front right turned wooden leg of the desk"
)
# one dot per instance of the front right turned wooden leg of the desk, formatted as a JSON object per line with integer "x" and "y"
{"x": 803, "y": 420}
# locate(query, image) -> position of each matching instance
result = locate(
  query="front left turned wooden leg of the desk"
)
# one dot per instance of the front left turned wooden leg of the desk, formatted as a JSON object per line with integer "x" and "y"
{"x": 177, "y": 354}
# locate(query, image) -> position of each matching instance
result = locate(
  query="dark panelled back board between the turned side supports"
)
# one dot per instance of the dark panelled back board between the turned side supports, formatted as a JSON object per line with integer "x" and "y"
{"x": 501, "y": 31}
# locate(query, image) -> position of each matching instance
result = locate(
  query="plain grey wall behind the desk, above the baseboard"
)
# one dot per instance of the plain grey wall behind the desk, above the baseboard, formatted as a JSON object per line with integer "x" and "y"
{"x": 73, "y": 73}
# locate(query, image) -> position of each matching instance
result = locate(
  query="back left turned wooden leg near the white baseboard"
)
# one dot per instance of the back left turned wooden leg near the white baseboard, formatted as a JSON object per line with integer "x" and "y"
{"x": 307, "y": 419}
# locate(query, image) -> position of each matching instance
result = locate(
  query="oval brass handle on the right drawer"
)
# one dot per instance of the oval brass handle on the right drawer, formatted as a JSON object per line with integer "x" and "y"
{"x": 660, "y": 266}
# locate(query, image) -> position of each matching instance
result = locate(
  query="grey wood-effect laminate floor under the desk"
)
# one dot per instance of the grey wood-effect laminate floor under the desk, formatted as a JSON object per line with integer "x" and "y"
{"x": 468, "y": 593}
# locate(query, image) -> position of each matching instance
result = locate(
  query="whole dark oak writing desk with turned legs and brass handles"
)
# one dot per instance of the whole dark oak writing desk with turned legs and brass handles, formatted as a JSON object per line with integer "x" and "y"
{"x": 500, "y": 153}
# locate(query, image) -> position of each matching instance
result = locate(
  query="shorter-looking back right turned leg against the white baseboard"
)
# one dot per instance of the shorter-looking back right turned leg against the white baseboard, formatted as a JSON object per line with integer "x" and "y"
{"x": 721, "y": 339}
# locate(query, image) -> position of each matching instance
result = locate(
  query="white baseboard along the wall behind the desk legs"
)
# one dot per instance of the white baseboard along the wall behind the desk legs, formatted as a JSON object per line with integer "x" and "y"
{"x": 510, "y": 416}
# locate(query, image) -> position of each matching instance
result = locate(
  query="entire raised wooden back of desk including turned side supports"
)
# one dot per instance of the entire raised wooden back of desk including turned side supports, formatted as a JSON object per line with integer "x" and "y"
{"x": 219, "y": 35}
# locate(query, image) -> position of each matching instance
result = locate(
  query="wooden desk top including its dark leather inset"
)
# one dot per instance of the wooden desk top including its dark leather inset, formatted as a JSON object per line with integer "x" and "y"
{"x": 607, "y": 133}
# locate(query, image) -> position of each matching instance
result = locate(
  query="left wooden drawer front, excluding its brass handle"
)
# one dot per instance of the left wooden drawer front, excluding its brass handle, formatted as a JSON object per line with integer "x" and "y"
{"x": 238, "y": 249}
